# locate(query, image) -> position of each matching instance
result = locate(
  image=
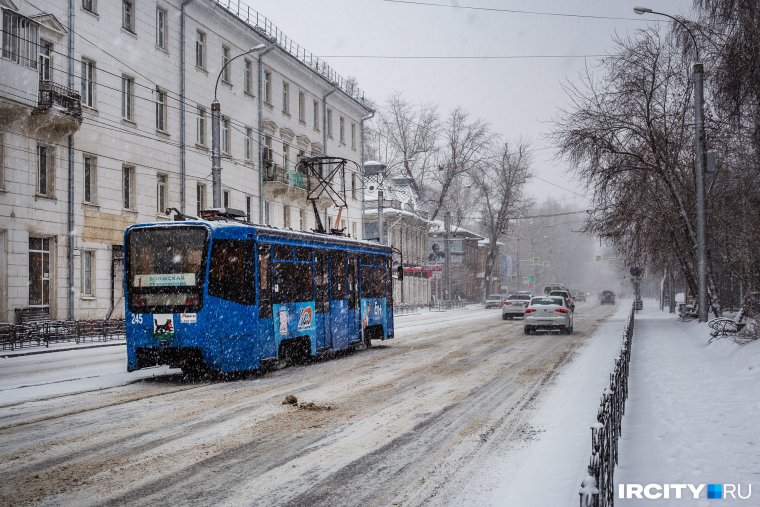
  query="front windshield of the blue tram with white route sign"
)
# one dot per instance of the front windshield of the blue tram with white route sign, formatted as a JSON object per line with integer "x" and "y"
{"x": 165, "y": 269}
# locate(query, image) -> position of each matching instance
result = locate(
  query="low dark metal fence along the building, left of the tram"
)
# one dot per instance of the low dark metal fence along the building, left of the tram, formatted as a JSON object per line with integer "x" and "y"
{"x": 43, "y": 333}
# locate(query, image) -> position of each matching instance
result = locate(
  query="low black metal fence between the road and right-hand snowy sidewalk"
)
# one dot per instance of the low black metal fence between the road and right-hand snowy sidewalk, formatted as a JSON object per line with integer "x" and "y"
{"x": 598, "y": 489}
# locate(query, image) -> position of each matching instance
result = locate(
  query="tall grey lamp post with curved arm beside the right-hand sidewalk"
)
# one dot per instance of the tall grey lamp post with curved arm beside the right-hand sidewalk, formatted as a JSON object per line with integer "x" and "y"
{"x": 699, "y": 126}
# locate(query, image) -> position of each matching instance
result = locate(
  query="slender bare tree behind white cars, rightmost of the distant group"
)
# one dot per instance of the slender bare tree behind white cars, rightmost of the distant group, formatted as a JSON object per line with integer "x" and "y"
{"x": 501, "y": 181}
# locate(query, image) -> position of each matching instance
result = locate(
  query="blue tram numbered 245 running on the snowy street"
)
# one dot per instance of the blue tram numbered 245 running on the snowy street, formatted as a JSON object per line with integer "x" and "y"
{"x": 229, "y": 296}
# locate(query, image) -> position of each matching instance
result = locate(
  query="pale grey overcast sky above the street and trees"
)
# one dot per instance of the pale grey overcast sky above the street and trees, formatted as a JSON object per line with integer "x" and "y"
{"x": 517, "y": 96}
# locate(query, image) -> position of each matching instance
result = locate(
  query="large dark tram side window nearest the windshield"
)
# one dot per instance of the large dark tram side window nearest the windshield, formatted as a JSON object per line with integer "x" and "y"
{"x": 231, "y": 271}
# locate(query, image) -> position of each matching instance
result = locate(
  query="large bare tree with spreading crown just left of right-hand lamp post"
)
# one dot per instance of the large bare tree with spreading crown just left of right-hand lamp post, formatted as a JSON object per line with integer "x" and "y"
{"x": 629, "y": 138}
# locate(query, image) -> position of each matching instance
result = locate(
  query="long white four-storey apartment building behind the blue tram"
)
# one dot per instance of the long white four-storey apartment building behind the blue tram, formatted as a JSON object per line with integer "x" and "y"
{"x": 105, "y": 121}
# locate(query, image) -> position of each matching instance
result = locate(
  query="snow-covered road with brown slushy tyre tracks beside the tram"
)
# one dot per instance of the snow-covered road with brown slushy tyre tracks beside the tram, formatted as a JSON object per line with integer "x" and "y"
{"x": 392, "y": 424}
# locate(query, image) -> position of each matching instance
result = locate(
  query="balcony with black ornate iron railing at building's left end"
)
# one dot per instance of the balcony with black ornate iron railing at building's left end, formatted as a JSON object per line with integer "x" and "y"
{"x": 59, "y": 109}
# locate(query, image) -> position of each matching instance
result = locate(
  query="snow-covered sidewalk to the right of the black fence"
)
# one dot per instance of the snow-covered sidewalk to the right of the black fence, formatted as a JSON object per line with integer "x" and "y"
{"x": 692, "y": 412}
